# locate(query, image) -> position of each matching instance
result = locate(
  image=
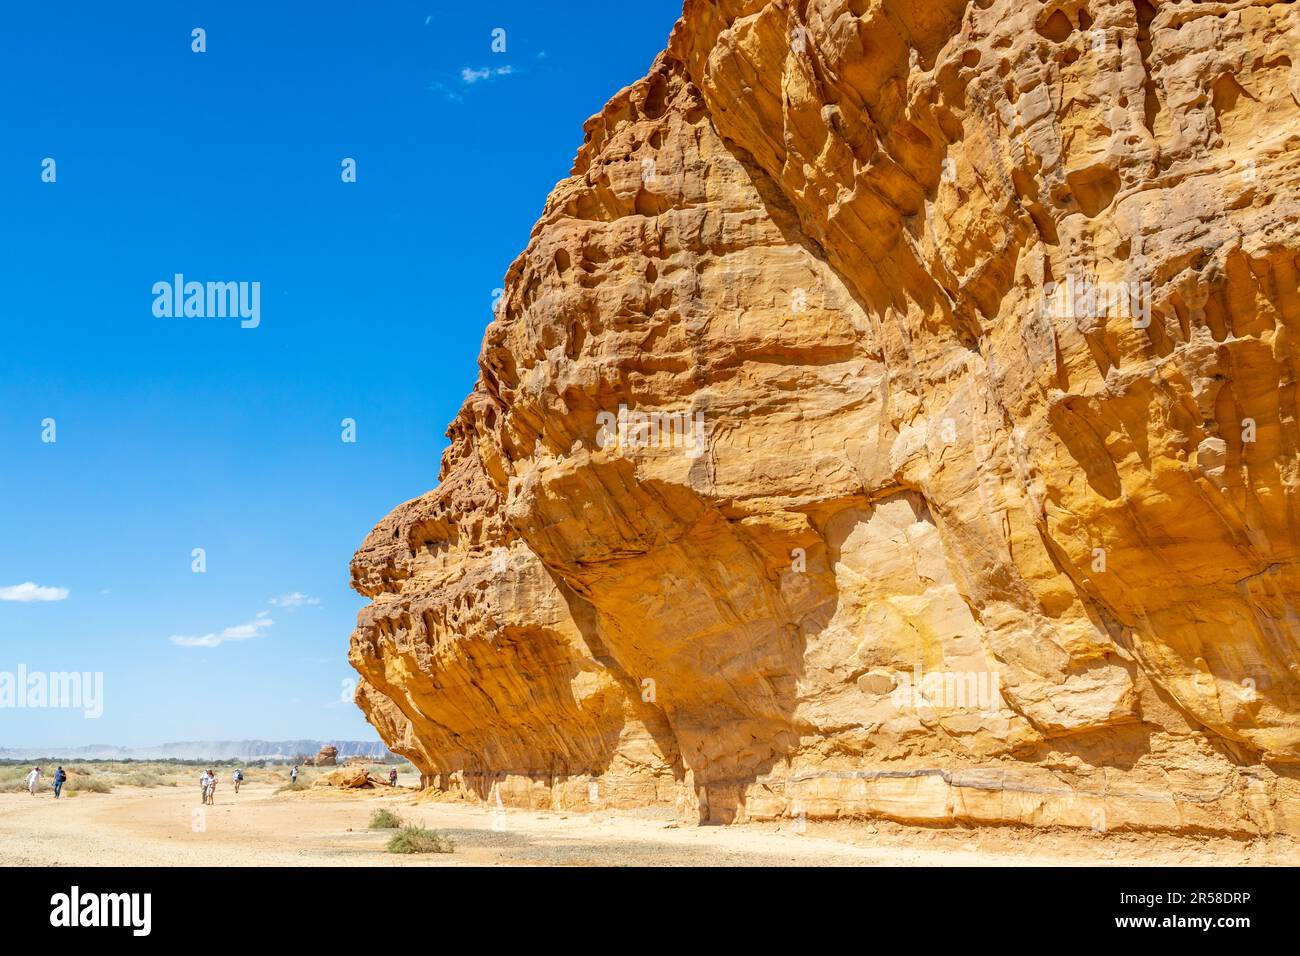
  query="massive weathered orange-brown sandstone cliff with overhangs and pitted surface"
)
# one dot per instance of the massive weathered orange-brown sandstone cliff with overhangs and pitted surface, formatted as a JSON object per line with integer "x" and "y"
{"x": 895, "y": 414}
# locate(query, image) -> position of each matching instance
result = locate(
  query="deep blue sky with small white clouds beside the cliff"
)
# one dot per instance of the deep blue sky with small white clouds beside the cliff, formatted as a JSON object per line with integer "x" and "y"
{"x": 183, "y": 434}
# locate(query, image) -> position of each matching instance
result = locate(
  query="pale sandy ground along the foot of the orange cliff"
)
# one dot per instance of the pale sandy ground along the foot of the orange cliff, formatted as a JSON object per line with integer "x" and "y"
{"x": 155, "y": 828}
